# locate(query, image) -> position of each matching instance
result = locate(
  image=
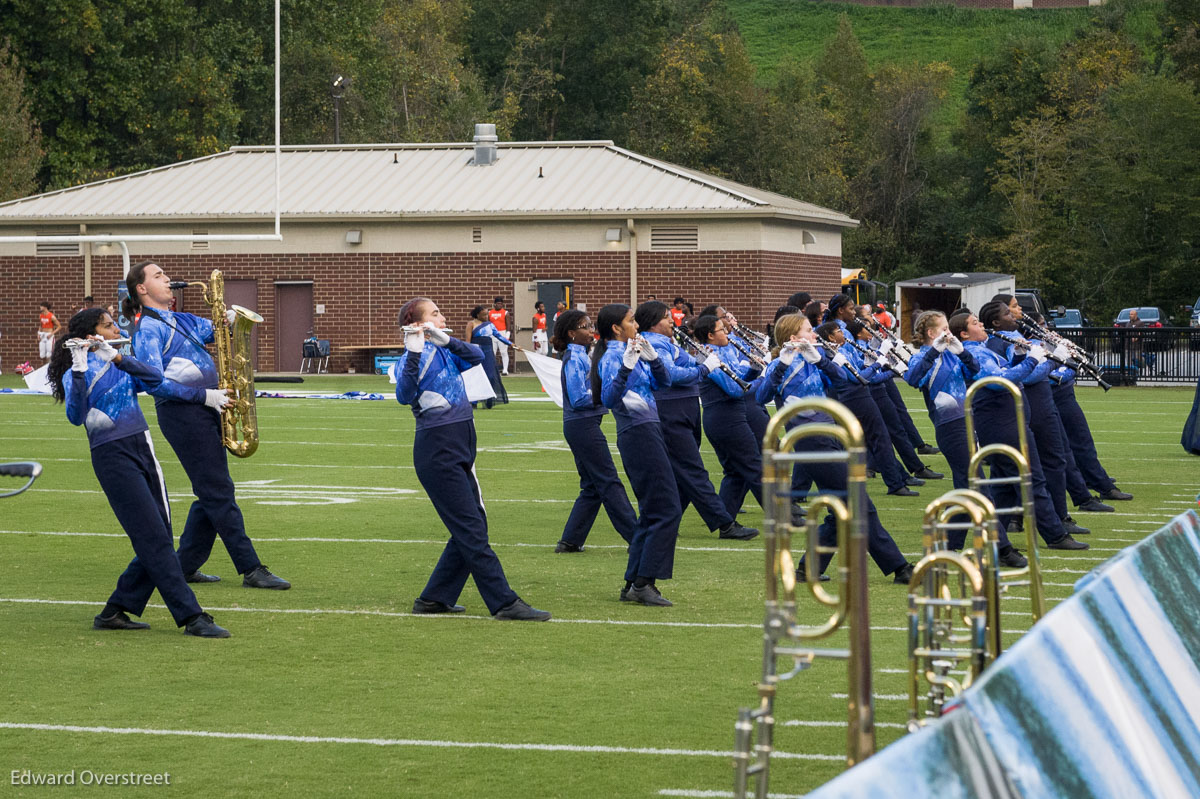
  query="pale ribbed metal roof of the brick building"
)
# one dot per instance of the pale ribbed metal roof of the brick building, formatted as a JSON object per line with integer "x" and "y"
{"x": 413, "y": 181}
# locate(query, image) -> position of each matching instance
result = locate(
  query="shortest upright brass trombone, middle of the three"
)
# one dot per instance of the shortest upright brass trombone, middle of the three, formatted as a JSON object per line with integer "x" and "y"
{"x": 953, "y": 622}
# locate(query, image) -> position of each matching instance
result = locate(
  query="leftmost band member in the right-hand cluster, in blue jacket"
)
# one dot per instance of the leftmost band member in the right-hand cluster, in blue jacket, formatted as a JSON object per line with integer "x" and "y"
{"x": 583, "y": 414}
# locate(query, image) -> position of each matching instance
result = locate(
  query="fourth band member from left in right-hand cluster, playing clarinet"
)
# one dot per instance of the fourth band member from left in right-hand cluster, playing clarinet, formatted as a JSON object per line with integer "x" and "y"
{"x": 725, "y": 420}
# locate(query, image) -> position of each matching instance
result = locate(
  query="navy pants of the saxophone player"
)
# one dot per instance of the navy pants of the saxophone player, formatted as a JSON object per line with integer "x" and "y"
{"x": 194, "y": 431}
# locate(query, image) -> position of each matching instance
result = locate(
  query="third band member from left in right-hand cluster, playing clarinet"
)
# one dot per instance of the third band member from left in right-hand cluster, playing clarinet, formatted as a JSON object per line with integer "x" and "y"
{"x": 680, "y": 418}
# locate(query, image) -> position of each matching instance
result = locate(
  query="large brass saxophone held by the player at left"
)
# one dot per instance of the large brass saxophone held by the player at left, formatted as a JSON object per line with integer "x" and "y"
{"x": 236, "y": 369}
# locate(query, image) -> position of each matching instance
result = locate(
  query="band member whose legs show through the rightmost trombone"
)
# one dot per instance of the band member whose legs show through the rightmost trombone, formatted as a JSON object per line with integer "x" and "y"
{"x": 997, "y": 417}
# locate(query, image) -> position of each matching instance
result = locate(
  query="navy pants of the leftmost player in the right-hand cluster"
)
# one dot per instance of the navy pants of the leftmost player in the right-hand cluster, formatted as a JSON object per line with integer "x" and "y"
{"x": 599, "y": 484}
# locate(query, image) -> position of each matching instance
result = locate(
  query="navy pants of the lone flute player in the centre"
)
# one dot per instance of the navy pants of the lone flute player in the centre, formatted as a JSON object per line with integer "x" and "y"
{"x": 445, "y": 459}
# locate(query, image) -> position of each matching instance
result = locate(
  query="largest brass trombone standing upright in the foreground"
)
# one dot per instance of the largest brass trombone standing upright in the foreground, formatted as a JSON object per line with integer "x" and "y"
{"x": 783, "y": 634}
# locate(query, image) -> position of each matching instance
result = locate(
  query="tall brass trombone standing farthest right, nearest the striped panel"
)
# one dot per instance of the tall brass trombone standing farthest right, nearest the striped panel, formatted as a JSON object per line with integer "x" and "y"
{"x": 1030, "y": 575}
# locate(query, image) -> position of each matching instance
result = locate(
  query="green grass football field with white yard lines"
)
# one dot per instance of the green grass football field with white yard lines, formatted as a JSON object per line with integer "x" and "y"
{"x": 447, "y": 707}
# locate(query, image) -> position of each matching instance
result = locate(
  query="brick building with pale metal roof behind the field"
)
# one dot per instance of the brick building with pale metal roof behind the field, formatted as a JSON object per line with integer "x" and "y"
{"x": 367, "y": 227}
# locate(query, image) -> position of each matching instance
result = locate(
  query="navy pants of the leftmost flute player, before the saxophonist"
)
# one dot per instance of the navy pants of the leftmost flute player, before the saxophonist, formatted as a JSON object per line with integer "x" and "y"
{"x": 131, "y": 479}
